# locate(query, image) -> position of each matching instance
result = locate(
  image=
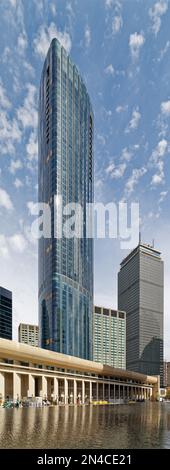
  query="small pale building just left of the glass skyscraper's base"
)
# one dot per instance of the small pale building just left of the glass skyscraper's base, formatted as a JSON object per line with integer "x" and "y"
{"x": 28, "y": 334}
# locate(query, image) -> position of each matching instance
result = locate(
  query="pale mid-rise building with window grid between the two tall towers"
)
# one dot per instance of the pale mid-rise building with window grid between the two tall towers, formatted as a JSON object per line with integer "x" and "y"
{"x": 109, "y": 337}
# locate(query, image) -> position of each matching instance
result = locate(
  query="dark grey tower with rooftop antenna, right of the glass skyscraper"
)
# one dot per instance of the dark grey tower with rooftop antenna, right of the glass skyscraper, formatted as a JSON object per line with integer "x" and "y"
{"x": 141, "y": 295}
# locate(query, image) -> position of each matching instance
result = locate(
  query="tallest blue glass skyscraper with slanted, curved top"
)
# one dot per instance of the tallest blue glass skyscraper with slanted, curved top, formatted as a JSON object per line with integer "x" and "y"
{"x": 65, "y": 169}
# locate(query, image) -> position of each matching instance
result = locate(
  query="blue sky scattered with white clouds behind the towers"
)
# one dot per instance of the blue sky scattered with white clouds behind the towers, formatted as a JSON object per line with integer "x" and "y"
{"x": 122, "y": 49}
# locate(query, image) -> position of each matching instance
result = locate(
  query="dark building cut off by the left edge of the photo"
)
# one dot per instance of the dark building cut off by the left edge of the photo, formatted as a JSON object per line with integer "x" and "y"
{"x": 5, "y": 313}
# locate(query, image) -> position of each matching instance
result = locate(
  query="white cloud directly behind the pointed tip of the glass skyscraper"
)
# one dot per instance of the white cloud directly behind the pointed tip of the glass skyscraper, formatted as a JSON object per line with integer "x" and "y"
{"x": 44, "y": 37}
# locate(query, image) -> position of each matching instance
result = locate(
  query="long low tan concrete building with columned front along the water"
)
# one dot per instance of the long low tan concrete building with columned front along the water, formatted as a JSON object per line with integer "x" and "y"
{"x": 26, "y": 371}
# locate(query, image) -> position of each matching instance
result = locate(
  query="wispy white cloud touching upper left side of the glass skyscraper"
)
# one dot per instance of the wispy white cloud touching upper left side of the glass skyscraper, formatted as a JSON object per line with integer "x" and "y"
{"x": 27, "y": 113}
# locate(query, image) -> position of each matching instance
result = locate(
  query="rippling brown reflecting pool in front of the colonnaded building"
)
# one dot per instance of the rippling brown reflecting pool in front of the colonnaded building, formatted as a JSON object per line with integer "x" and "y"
{"x": 125, "y": 426}
